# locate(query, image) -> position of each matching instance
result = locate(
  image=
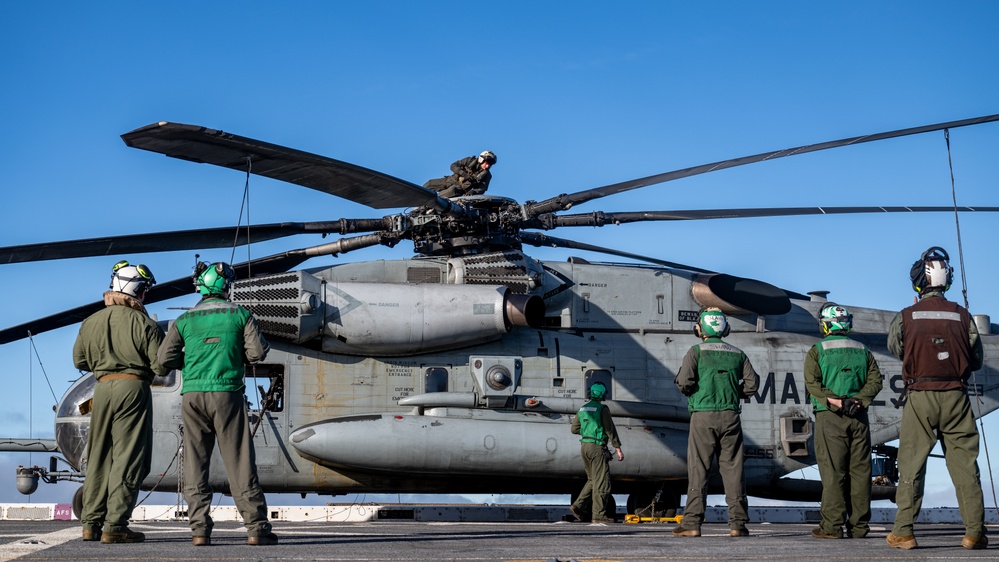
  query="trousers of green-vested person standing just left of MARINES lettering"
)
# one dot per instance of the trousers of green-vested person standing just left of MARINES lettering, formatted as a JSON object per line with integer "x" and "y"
{"x": 715, "y": 434}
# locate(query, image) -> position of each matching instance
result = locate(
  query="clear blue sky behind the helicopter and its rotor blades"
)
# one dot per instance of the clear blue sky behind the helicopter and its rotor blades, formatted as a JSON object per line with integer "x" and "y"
{"x": 570, "y": 95}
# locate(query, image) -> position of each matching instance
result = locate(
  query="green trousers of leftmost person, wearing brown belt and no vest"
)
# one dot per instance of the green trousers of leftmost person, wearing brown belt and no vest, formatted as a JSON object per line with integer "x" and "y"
{"x": 119, "y": 451}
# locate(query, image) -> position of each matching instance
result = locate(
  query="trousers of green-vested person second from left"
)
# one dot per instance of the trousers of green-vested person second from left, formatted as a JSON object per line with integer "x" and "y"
{"x": 208, "y": 415}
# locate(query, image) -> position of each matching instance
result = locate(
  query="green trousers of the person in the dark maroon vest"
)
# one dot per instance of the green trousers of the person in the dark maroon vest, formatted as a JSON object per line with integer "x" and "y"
{"x": 947, "y": 413}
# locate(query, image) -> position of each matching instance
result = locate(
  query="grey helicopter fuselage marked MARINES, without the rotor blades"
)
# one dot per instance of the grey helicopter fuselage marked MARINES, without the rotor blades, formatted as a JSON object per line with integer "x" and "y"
{"x": 345, "y": 402}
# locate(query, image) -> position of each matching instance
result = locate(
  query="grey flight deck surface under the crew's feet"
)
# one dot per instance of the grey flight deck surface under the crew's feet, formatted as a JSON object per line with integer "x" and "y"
{"x": 411, "y": 540}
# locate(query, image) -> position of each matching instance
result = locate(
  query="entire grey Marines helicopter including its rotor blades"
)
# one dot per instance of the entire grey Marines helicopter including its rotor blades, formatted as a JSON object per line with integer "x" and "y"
{"x": 457, "y": 370}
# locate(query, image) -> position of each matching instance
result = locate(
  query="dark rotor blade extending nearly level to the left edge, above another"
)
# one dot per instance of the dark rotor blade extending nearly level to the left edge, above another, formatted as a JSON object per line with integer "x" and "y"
{"x": 196, "y": 239}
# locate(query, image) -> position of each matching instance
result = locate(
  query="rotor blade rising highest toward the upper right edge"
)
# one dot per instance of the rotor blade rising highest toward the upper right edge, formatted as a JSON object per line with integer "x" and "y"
{"x": 564, "y": 201}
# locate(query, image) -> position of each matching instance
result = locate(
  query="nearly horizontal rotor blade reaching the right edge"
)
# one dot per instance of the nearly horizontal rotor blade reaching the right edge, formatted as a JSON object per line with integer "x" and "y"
{"x": 601, "y": 218}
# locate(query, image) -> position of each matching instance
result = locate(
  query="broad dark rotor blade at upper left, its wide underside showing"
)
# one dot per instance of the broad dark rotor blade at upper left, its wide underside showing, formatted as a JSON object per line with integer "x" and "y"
{"x": 204, "y": 145}
